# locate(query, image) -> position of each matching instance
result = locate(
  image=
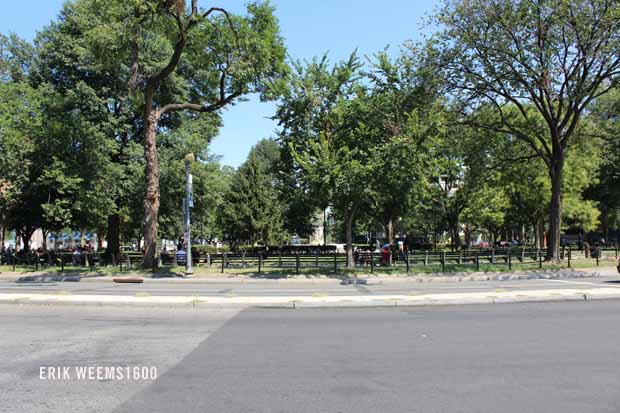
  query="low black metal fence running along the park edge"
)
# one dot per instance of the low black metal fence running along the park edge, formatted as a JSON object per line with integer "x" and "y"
{"x": 324, "y": 261}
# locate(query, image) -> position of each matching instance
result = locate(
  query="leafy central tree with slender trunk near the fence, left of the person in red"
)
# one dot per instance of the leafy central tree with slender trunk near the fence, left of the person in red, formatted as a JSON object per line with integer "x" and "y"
{"x": 329, "y": 133}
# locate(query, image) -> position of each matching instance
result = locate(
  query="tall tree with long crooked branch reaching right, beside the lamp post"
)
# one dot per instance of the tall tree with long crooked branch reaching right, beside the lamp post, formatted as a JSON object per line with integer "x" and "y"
{"x": 205, "y": 61}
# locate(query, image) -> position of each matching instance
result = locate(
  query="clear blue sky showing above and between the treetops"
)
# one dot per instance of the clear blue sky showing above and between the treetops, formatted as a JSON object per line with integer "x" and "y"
{"x": 310, "y": 28}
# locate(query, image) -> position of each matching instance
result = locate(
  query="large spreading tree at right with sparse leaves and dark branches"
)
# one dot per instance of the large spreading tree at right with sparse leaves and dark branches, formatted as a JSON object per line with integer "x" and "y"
{"x": 555, "y": 56}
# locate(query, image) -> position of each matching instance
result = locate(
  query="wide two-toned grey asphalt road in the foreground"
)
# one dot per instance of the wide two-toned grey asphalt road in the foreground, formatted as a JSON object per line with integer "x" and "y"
{"x": 545, "y": 357}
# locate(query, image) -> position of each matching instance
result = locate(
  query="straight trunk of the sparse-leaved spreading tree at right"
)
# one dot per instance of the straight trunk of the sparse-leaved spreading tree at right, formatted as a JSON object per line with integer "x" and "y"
{"x": 555, "y": 211}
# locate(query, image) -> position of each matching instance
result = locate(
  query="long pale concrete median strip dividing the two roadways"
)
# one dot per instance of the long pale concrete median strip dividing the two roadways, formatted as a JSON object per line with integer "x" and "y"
{"x": 486, "y": 297}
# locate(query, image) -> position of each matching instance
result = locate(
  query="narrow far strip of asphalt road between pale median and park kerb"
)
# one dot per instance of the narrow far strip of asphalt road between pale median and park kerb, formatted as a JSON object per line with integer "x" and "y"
{"x": 183, "y": 287}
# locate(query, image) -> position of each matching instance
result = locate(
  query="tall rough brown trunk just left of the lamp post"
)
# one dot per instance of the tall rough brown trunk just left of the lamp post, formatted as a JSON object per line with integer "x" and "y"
{"x": 151, "y": 200}
